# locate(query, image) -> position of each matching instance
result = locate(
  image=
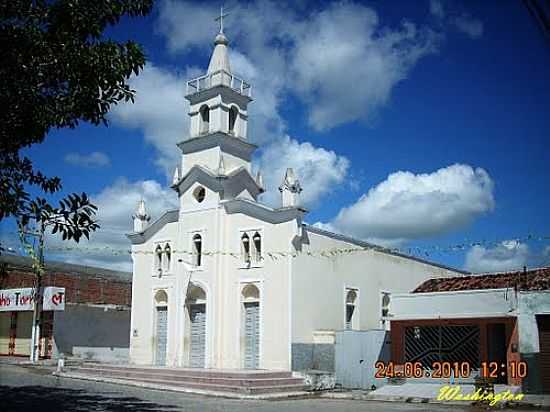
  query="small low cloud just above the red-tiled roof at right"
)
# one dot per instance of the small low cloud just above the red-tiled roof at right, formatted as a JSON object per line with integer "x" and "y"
{"x": 506, "y": 256}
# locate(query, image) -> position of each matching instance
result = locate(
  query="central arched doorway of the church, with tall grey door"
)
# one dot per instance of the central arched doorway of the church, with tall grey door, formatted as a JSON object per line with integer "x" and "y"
{"x": 196, "y": 332}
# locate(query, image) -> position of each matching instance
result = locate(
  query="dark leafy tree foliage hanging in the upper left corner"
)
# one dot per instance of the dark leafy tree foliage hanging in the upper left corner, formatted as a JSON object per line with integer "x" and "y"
{"x": 58, "y": 69}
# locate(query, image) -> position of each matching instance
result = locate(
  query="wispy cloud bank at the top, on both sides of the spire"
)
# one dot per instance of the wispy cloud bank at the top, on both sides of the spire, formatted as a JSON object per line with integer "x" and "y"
{"x": 340, "y": 61}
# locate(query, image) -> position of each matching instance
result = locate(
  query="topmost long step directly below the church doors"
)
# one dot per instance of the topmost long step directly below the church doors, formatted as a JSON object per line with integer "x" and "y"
{"x": 192, "y": 372}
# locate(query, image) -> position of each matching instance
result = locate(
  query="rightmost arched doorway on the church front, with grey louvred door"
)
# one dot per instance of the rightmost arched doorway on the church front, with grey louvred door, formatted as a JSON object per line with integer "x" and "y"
{"x": 250, "y": 297}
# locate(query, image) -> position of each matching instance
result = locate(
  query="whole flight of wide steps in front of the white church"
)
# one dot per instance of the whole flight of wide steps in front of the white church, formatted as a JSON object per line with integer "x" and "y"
{"x": 231, "y": 383}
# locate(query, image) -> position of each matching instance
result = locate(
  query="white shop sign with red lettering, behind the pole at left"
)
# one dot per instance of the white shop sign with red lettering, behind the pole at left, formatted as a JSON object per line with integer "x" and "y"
{"x": 22, "y": 299}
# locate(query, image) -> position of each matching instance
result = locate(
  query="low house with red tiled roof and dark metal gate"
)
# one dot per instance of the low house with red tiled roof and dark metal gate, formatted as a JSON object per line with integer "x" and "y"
{"x": 480, "y": 319}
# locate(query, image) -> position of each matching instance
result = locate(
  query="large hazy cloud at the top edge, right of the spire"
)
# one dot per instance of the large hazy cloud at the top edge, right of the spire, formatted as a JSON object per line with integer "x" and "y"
{"x": 345, "y": 64}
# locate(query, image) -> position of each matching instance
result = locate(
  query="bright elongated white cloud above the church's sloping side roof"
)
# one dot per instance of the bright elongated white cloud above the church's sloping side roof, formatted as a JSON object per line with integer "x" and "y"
{"x": 412, "y": 206}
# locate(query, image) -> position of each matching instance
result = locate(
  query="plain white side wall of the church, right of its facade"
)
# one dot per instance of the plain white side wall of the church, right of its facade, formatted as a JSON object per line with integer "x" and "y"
{"x": 319, "y": 283}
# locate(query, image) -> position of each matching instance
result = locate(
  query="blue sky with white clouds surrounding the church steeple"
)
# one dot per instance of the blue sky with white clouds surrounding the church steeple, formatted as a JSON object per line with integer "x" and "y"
{"x": 412, "y": 124}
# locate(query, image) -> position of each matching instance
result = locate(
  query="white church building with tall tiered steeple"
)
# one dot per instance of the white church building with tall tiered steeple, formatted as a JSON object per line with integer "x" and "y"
{"x": 227, "y": 282}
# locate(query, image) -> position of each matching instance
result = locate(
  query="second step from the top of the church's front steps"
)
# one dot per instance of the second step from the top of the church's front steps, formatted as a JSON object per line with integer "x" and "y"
{"x": 181, "y": 378}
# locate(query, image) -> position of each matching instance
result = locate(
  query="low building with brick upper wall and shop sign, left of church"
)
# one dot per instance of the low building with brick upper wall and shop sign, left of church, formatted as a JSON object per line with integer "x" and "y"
{"x": 93, "y": 324}
